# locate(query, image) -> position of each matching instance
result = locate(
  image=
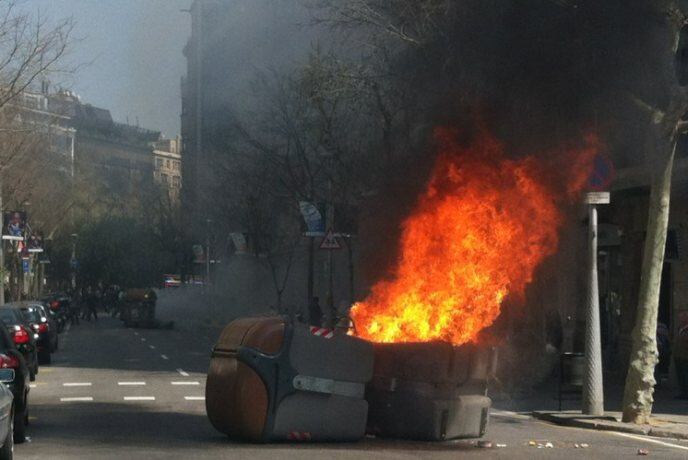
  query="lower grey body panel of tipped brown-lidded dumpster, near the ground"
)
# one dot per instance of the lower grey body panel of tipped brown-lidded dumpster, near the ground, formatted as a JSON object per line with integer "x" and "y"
{"x": 323, "y": 417}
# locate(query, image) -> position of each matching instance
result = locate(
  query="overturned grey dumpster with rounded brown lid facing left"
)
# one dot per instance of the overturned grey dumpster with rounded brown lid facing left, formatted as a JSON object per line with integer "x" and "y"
{"x": 274, "y": 380}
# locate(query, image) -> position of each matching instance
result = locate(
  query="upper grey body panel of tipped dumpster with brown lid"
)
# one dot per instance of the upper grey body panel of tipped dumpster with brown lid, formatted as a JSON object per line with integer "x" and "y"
{"x": 341, "y": 358}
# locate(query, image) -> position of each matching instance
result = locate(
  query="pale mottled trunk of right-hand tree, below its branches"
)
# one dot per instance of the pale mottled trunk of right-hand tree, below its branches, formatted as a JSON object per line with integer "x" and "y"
{"x": 640, "y": 381}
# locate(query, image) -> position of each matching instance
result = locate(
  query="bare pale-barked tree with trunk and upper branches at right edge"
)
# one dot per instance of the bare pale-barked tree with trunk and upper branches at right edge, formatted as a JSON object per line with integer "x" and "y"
{"x": 666, "y": 126}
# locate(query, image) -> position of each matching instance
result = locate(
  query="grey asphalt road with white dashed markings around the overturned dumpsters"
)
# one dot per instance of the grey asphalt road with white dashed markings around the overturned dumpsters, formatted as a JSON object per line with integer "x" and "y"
{"x": 115, "y": 393}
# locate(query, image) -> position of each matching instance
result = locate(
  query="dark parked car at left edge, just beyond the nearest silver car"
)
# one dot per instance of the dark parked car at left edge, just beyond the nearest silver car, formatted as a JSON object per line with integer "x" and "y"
{"x": 12, "y": 358}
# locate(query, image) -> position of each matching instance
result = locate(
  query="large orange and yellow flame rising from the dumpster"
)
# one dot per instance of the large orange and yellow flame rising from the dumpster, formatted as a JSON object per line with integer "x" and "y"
{"x": 476, "y": 235}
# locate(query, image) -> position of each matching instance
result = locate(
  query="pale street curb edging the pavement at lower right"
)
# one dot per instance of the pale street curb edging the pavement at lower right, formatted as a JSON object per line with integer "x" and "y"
{"x": 609, "y": 424}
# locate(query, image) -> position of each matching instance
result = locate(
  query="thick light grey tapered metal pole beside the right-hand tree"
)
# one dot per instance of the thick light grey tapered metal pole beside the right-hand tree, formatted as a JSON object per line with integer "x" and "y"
{"x": 593, "y": 392}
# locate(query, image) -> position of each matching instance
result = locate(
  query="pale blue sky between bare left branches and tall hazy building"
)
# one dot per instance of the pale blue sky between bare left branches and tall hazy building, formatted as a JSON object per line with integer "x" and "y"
{"x": 129, "y": 54}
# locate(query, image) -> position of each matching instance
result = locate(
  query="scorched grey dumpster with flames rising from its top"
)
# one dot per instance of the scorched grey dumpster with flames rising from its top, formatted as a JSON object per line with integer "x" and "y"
{"x": 430, "y": 391}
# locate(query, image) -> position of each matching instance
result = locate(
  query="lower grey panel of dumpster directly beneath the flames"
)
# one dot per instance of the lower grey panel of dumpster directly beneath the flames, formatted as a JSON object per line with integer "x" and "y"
{"x": 408, "y": 416}
